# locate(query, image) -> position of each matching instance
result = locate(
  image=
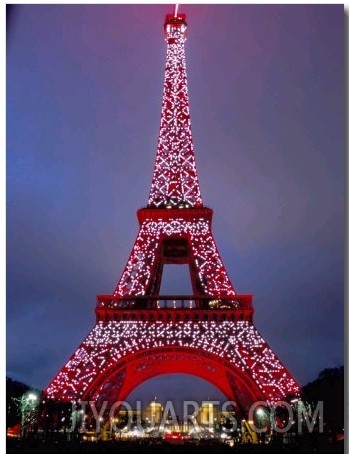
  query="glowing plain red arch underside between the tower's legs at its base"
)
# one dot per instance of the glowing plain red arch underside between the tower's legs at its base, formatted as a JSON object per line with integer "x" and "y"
{"x": 129, "y": 374}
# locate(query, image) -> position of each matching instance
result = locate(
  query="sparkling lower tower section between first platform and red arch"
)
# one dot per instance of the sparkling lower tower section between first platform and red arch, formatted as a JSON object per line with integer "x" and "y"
{"x": 108, "y": 343}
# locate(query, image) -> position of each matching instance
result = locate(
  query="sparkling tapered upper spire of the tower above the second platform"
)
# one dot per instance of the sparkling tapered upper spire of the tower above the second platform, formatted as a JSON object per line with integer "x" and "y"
{"x": 175, "y": 183}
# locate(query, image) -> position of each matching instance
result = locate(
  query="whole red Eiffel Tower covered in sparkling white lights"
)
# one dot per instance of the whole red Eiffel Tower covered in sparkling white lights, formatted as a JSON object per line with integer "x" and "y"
{"x": 140, "y": 333}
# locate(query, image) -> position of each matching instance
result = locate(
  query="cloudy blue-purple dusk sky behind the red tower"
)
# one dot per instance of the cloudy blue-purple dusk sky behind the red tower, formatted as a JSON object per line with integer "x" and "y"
{"x": 84, "y": 91}
